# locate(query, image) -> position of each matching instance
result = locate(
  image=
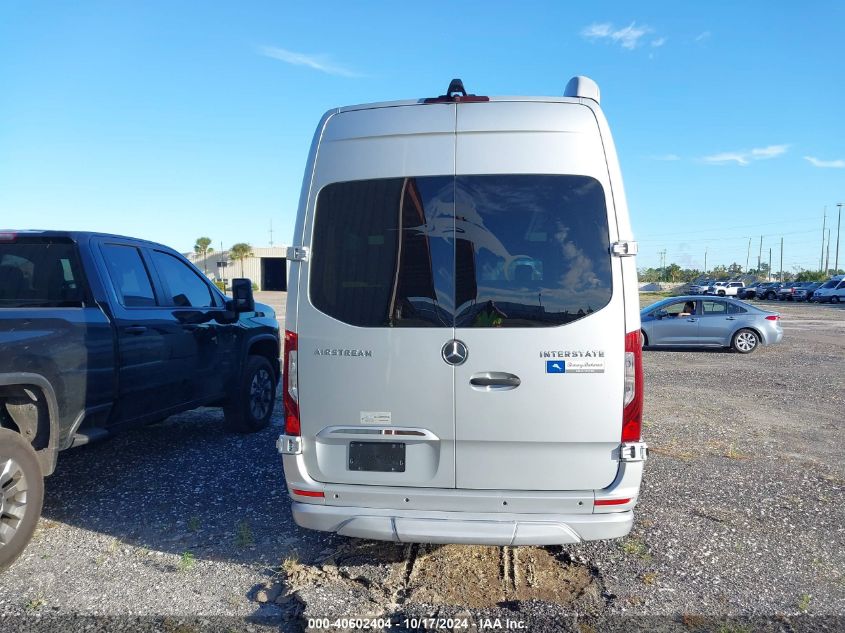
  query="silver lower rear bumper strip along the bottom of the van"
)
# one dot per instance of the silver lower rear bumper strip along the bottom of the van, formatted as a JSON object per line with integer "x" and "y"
{"x": 416, "y": 526}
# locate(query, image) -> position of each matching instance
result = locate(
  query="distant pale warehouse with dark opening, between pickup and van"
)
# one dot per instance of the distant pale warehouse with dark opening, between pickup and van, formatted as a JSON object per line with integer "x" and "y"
{"x": 268, "y": 268}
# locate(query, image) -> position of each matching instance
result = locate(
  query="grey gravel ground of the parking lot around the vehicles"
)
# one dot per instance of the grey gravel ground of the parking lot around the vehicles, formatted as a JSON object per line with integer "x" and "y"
{"x": 740, "y": 517}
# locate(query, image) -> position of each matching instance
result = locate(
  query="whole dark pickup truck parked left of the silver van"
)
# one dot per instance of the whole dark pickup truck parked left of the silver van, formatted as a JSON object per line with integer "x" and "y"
{"x": 99, "y": 333}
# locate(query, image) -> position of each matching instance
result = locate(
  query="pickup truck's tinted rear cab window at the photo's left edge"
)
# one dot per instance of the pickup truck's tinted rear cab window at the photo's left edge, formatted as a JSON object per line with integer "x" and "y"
{"x": 40, "y": 273}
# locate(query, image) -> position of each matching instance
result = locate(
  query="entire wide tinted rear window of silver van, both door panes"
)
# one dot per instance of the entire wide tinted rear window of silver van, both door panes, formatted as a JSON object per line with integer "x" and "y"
{"x": 471, "y": 251}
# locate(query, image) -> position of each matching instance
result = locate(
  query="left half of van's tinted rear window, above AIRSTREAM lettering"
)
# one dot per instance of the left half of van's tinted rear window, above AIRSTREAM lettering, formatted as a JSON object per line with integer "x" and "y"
{"x": 383, "y": 254}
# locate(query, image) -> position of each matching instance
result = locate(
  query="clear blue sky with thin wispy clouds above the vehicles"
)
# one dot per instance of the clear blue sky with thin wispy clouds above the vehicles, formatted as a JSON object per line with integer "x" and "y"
{"x": 173, "y": 120}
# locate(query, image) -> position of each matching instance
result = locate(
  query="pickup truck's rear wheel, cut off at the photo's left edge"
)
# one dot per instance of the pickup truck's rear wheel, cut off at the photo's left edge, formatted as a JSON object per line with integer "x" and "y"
{"x": 21, "y": 495}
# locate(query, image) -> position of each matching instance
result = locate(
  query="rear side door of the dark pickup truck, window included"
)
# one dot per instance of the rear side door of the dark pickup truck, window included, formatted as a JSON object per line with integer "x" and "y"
{"x": 150, "y": 377}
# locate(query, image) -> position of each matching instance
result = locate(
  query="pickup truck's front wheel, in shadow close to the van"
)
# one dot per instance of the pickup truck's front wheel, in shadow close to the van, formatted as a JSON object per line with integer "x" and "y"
{"x": 252, "y": 406}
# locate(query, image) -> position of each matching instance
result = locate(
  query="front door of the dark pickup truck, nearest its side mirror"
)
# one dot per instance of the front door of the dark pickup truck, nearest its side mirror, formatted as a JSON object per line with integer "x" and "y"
{"x": 203, "y": 342}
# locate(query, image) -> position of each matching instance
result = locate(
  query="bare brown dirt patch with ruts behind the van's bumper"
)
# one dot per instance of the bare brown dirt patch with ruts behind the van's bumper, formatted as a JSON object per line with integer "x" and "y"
{"x": 380, "y": 578}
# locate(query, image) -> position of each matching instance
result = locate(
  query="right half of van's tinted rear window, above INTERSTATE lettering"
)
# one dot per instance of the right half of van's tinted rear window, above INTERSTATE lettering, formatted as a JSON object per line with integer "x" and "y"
{"x": 538, "y": 246}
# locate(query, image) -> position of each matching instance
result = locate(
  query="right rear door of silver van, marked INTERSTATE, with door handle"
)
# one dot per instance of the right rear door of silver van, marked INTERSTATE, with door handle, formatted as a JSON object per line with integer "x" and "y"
{"x": 539, "y": 398}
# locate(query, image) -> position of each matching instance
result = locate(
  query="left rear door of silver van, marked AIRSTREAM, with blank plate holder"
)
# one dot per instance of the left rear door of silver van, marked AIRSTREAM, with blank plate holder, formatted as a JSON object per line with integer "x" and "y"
{"x": 375, "y": 406}
